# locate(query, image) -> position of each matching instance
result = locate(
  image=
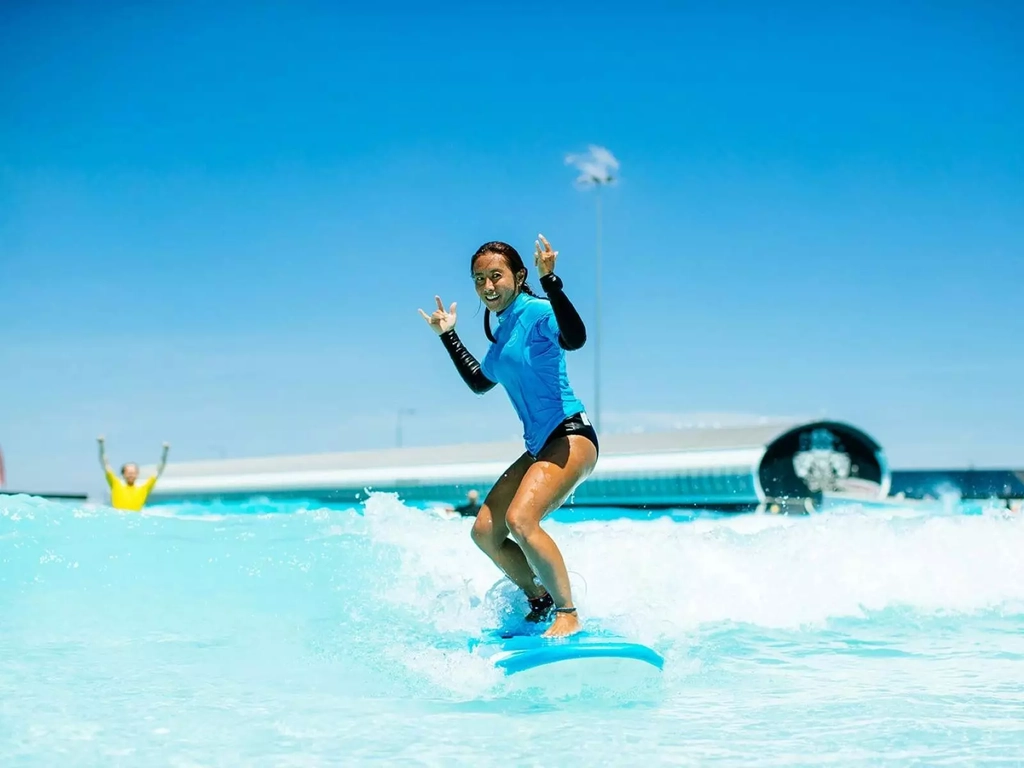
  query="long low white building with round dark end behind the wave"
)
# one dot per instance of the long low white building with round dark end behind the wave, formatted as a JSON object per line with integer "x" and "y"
{"x": 730, "y": 468}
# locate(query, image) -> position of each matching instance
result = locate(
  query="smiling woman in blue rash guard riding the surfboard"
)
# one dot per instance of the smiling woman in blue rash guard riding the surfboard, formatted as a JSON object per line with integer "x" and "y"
{"x": 528, "y": 358}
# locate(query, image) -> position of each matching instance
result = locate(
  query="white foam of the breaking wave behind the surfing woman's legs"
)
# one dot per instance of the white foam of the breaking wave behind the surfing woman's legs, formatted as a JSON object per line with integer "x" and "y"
{"x": 662, "y": 579}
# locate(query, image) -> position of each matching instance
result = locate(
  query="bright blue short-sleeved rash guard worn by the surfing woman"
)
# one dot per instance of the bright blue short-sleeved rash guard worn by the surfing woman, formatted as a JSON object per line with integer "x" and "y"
{"x": 529, "y": 362}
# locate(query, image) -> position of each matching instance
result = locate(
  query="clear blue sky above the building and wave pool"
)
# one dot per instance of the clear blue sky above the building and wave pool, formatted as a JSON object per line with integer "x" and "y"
{"x": 217, "y": 227}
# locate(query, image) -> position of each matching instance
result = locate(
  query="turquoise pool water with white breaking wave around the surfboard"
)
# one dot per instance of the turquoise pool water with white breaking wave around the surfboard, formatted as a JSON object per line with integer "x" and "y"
{"x": 280, "y": 635}
